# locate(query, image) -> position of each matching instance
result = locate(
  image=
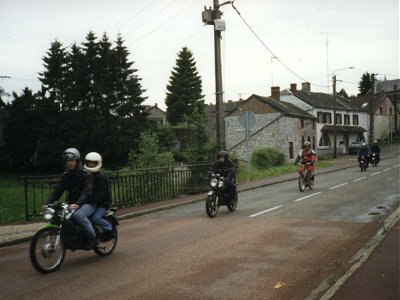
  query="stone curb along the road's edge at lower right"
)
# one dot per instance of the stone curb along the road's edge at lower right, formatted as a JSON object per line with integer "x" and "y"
{"x": 370, "y": 246}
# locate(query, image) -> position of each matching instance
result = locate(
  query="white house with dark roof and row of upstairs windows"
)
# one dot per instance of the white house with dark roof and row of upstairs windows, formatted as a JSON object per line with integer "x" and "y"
{"x": 351, "y": 123}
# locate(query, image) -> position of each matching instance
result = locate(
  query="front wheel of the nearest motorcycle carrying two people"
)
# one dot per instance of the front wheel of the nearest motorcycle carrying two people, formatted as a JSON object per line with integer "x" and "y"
{"x": 47, "y": 251}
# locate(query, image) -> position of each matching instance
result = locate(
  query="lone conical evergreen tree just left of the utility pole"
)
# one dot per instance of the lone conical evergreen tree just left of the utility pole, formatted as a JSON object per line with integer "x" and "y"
{"x": 184, "y": 94}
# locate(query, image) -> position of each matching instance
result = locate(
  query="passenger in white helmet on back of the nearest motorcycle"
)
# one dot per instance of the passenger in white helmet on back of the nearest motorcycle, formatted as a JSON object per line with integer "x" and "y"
{"x": 101, "y": 193}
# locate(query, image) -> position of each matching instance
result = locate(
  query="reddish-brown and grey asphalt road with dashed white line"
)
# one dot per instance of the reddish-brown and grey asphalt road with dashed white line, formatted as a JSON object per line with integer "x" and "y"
{"x": 279, "y": 244}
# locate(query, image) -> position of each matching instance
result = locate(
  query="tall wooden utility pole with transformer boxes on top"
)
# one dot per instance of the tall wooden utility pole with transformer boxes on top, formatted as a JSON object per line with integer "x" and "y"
{"x": 213, "y": 17}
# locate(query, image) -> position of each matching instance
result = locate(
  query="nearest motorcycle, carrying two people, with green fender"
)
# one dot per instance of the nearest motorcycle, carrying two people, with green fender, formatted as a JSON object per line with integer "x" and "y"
{"x": 49, "y": 244}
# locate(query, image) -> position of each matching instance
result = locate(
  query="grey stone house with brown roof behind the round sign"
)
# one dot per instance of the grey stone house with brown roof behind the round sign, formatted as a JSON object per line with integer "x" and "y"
{"x": 278, "y": 125}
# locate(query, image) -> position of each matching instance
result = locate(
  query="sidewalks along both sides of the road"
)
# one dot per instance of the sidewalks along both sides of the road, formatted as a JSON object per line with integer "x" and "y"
{"x": 374, "y": 276}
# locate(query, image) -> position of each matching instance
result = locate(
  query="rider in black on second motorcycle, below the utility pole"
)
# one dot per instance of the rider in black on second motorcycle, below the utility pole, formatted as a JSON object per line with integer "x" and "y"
{"x": 226, "y": 168}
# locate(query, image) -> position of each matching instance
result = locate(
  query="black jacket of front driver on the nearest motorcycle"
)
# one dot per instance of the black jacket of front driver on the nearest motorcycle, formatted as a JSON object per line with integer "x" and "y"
{"x": 77, "y": 183}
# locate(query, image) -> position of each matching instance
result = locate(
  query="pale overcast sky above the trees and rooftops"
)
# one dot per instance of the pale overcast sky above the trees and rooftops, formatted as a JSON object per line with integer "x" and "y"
{"x": 363, "y": 34}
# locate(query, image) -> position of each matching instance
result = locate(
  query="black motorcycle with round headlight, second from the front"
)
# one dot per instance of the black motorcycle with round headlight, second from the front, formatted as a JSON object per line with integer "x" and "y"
{"x": 219, "y": 195}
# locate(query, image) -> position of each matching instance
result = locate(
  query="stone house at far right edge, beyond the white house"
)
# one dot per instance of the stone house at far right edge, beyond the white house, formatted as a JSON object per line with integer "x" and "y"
{"x": 381, "y": 112}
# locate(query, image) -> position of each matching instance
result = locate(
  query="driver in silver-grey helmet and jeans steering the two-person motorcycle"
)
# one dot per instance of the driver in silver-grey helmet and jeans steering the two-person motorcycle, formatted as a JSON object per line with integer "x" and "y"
{"x": 79, "y": 186}
